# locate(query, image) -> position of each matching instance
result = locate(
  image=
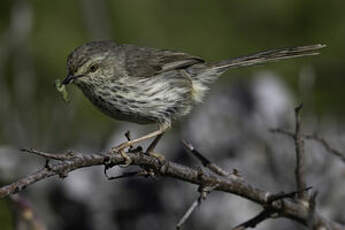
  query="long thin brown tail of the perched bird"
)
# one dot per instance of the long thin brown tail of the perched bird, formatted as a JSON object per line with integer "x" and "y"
{"x": 268, "y": 56}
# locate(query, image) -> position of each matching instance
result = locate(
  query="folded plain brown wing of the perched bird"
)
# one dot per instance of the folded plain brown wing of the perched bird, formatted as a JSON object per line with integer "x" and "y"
{"x": 147, "y": 62}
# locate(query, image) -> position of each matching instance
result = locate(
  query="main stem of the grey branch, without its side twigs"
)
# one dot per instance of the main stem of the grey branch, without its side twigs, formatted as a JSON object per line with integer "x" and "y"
{"x": 68, "y": 162}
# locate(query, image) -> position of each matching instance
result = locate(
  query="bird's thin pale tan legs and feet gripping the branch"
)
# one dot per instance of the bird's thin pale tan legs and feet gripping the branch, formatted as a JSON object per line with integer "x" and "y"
{"x": 120, "y": 148}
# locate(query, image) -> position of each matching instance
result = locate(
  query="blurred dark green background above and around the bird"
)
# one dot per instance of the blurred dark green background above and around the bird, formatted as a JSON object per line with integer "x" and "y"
{"x": 36, "y": 37}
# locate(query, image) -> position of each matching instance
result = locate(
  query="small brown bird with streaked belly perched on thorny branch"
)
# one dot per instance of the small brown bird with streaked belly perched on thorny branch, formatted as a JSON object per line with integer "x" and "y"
{"x": 147, "y": 85}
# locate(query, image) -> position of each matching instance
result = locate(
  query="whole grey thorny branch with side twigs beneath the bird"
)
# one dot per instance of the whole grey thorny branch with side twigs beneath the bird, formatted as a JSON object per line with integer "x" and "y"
{"x": 274, "y": 204}
